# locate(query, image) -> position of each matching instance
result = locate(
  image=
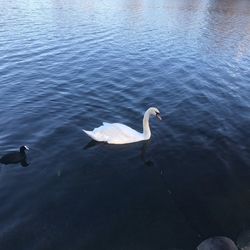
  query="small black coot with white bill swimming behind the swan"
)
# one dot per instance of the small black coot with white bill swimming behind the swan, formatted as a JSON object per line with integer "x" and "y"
{"x": 15, "y": 157}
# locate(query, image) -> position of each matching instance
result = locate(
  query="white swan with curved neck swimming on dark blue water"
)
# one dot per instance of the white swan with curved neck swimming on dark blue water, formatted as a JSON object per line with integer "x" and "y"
{"x": 117, "y": 133}
